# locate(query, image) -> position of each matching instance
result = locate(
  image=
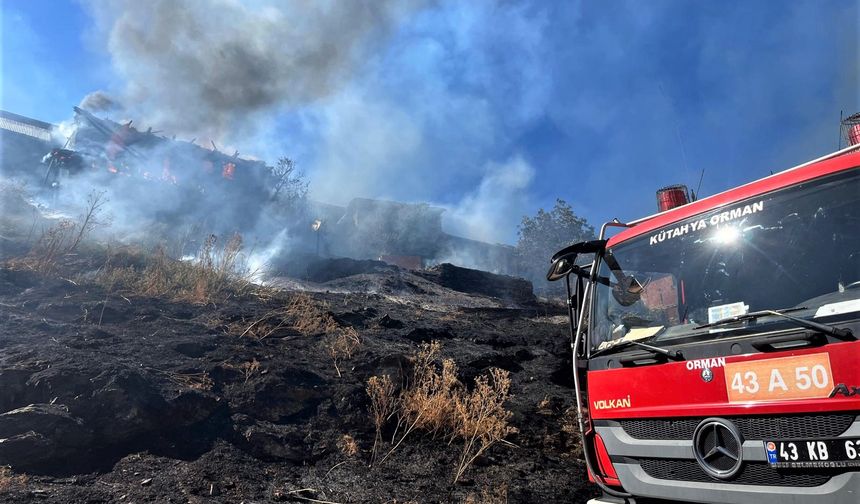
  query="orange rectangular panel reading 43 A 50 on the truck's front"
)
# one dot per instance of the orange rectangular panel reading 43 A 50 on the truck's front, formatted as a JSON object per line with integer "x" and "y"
{"x": 786, "y": 378}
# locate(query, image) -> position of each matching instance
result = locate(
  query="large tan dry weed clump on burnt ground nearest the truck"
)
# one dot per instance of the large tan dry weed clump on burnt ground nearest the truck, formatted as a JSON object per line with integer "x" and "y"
{"x": 435, "y": 402}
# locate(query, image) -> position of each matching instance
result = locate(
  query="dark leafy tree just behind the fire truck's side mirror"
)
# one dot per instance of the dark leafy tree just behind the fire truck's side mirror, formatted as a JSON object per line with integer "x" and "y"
{"x": 541, "y": 236}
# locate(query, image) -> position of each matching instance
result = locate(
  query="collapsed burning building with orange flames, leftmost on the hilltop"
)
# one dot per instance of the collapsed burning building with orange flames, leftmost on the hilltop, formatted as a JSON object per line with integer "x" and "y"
{"x": 150, "y": 178}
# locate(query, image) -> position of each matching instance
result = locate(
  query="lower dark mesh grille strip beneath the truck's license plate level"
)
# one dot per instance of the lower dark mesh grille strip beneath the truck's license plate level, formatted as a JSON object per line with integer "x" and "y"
{"x": 750, "y": 474}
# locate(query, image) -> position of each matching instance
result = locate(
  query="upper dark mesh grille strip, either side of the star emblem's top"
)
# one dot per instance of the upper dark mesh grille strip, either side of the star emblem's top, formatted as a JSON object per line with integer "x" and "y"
{"x": 776, "y": 427}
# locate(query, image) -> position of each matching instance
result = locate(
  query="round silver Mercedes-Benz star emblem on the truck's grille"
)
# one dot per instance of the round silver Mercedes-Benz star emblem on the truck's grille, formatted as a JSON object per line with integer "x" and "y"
{"x": 718, "y": 447}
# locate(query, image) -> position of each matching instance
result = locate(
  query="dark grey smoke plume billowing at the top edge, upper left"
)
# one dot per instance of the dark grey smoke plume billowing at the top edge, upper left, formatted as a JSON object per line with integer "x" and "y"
{"x": 209, "y": 66}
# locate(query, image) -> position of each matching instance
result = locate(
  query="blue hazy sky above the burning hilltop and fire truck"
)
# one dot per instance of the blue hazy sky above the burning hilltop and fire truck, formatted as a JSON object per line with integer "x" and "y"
{"x": 494, "y": 109}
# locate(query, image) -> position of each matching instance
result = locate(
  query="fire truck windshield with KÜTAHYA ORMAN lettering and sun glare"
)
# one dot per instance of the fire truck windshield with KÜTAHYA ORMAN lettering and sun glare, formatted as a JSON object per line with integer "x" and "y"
{"x": 796, "y": 247}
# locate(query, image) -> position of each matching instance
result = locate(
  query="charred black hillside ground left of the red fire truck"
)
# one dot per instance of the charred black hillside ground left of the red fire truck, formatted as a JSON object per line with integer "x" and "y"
{"x": 105, "y": 398}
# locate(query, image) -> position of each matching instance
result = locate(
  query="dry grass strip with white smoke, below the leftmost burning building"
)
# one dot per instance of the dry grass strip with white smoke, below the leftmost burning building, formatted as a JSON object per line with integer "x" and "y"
{"x": 215, "y": 274}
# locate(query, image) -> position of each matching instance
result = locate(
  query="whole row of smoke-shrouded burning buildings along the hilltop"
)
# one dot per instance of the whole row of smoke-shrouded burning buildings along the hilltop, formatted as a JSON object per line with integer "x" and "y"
{"x": 181, "y": 183}
